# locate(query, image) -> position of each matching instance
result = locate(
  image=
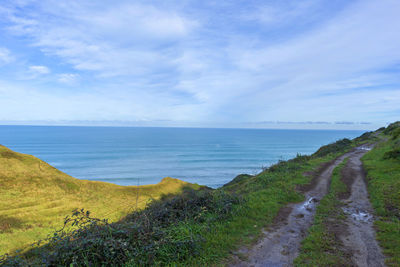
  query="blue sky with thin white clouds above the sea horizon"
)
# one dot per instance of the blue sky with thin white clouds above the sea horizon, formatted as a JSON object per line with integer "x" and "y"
{"x": 257, "y": 64}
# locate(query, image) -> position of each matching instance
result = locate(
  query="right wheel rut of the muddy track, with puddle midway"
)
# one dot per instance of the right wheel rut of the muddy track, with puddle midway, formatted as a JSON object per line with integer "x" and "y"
{"x": 360, "y": 238}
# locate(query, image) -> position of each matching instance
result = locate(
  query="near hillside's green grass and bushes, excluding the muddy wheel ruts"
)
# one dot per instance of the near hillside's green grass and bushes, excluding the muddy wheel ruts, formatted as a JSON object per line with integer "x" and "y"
{"x": 205, "y": 227}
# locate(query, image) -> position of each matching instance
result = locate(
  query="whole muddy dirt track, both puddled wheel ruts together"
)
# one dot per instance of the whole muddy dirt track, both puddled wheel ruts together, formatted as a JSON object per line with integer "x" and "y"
{"x": 281, "y": 243}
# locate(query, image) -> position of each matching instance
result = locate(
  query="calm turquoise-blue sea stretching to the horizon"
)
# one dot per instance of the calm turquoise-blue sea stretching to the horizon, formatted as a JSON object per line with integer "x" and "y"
{"x": 131, "y": 156}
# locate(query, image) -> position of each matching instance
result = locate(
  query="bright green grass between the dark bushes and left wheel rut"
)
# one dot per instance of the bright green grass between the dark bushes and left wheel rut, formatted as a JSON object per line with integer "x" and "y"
{"x": 265, "y": 194}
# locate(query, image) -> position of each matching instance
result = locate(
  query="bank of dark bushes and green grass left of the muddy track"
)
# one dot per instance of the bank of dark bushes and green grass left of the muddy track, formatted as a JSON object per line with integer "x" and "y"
{"x": 195, "y": 228}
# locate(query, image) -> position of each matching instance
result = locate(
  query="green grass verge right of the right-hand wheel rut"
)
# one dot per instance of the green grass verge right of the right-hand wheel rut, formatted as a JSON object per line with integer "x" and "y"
{"x": 383, "y": 182}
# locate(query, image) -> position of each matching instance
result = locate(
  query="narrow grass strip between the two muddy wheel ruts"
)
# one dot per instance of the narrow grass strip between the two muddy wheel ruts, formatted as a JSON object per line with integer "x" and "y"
{"x": 322, "y": 247}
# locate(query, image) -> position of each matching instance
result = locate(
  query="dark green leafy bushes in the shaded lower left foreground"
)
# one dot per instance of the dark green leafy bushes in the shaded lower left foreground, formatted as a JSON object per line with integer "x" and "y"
{"x": 160, "y": 234}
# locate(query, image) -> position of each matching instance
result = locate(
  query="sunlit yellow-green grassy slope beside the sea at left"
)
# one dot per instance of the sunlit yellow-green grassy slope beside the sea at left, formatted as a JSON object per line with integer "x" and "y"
{"x": 35, "y": 197}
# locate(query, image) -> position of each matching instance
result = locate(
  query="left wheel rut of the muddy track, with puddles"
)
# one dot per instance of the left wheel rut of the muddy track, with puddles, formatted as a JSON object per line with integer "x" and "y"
{"x": 281, "y": 244}
